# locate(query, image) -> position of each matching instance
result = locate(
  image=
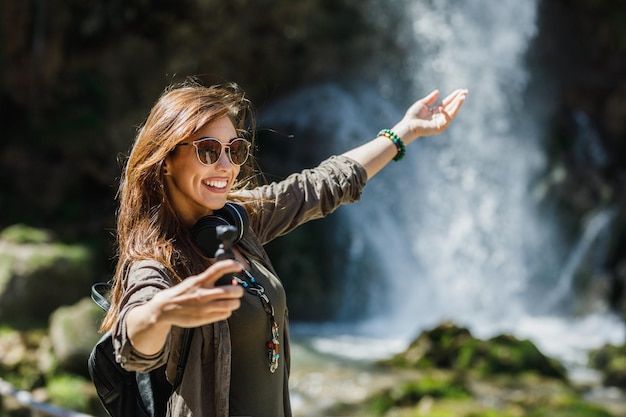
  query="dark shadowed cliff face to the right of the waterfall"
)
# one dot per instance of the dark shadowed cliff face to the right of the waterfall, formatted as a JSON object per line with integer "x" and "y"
{"x": 580, "y": 59}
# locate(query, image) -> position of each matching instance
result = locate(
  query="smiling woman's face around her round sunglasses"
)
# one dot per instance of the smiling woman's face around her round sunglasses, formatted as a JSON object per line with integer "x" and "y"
{"x": 195, "y": 190}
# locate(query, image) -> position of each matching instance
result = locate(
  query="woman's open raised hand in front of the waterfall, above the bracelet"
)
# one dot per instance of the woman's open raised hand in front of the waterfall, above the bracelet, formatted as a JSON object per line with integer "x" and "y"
{"x": 426, "y": 118}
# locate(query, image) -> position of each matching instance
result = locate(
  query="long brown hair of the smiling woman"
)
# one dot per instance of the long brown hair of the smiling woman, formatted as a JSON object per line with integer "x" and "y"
{"x": 147, "y": 226}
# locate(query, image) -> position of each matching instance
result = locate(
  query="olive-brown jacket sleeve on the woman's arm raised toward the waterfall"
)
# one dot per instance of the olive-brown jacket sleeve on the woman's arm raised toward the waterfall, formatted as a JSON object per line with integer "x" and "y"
{"x": 308, "y": 195}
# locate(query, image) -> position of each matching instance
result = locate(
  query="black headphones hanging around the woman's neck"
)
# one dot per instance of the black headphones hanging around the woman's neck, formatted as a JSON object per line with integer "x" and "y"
{"x": 204, "y": 232}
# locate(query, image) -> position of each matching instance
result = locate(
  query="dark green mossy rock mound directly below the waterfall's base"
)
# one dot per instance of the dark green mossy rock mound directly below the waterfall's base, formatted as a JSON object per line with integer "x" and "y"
{"x": 448, "y": 346}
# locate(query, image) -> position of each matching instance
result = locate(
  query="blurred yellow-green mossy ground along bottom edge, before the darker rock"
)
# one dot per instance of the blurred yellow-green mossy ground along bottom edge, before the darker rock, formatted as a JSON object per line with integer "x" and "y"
{"x": 433, "y": 393}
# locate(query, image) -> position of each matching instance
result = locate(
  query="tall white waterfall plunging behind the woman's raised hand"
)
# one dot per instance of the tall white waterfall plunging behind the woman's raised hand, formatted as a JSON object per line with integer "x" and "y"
{"x": 454, "y": 229}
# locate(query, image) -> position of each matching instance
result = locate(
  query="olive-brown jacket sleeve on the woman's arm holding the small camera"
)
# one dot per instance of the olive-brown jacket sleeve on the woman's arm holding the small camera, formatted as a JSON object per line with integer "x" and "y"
{"x": 143, "y": 280}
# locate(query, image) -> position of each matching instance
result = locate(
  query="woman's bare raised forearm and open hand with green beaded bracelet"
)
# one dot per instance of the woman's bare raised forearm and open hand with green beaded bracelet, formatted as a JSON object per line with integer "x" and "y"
{"x": 423, "y": 118}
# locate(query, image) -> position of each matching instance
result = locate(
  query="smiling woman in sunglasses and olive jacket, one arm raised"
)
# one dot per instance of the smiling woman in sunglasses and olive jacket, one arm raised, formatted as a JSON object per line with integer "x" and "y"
{"x": 191, "y": 159}
